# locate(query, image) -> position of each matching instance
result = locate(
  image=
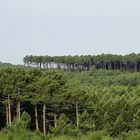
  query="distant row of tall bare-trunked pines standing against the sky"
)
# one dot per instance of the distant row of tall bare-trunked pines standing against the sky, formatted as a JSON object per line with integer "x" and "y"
{"x": 129, "y": 62}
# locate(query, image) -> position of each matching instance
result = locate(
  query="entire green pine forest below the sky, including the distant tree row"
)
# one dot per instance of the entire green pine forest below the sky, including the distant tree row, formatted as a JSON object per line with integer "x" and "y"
{"x": 71, "y": 98}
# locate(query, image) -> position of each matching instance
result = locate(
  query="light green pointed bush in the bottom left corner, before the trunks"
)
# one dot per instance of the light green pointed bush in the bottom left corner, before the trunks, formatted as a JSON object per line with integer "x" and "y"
{"x": 19, "y": 130}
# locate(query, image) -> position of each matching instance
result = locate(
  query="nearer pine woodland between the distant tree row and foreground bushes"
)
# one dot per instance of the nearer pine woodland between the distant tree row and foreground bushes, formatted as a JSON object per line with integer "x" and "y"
{"x": 66, "y": 103}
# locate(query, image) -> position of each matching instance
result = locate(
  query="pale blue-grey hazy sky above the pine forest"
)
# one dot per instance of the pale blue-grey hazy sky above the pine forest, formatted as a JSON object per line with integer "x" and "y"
{"x": 68, "y": 27}
